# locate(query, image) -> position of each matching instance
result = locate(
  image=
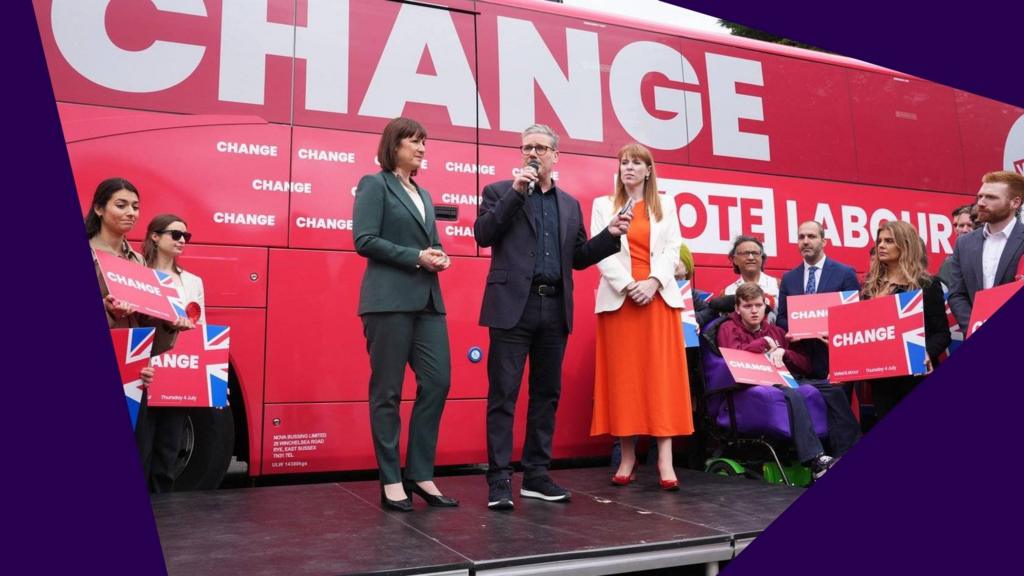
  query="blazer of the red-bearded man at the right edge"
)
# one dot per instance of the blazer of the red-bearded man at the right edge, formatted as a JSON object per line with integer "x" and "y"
{"x": 966, "y": 270}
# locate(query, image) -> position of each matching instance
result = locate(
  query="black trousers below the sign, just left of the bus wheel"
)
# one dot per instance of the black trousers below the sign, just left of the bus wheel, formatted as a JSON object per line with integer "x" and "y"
{"x": 158, "y": 433}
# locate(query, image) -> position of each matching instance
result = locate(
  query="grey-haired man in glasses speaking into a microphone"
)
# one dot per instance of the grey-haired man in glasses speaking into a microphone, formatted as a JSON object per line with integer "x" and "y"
{"x": 537, "y": 235}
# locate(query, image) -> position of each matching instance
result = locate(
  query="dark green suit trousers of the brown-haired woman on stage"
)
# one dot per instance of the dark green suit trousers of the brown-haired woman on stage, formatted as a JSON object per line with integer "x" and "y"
{"x": 421, "y": 341}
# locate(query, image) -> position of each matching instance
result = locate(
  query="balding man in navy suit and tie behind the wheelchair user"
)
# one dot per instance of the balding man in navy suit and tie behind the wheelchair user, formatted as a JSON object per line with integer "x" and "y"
{"x": 816, "y": 274}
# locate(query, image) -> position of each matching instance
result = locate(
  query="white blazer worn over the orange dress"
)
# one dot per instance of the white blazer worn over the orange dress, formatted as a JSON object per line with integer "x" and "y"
{"x": 617, "y": 269}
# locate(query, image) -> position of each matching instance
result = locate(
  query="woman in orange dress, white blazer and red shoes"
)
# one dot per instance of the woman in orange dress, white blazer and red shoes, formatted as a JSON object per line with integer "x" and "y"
{"x": 641, "y": 385}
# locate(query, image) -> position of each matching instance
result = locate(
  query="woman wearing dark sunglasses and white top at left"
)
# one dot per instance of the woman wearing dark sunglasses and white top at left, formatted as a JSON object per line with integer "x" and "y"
{"x": 161, "y": 433}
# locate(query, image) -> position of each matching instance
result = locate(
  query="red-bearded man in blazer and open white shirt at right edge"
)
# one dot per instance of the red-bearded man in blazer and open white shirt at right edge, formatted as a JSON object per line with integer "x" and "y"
{"x": 990, "y": 256}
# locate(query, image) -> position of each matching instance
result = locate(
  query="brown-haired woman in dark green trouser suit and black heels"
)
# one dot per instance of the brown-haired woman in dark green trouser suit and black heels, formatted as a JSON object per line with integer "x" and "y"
{"x": 403, "y": 314}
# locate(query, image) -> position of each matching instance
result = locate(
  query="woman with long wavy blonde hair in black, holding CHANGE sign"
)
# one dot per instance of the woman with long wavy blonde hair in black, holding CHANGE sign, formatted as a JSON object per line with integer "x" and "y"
{"x": 900, "y": 265}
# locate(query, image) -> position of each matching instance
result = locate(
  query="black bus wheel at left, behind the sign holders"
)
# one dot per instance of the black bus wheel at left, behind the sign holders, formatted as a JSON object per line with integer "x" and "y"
{"x": 206, "y": 449}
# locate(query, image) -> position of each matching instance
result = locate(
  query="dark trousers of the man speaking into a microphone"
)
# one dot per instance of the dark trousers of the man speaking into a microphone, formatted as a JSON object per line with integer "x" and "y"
{"x": 541, "y": 335}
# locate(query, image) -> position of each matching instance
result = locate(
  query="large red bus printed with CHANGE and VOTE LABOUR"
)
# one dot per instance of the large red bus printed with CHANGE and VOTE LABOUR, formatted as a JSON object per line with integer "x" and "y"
{"x": 254, "y": 119}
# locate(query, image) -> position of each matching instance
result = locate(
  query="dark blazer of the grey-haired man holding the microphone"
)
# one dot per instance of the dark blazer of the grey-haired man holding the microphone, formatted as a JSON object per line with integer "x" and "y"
{"x": 505, "y": 224}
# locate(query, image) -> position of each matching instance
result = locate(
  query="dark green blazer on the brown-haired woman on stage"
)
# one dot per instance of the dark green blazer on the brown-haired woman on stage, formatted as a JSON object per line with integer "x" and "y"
{"x": 391, "y": 234}
